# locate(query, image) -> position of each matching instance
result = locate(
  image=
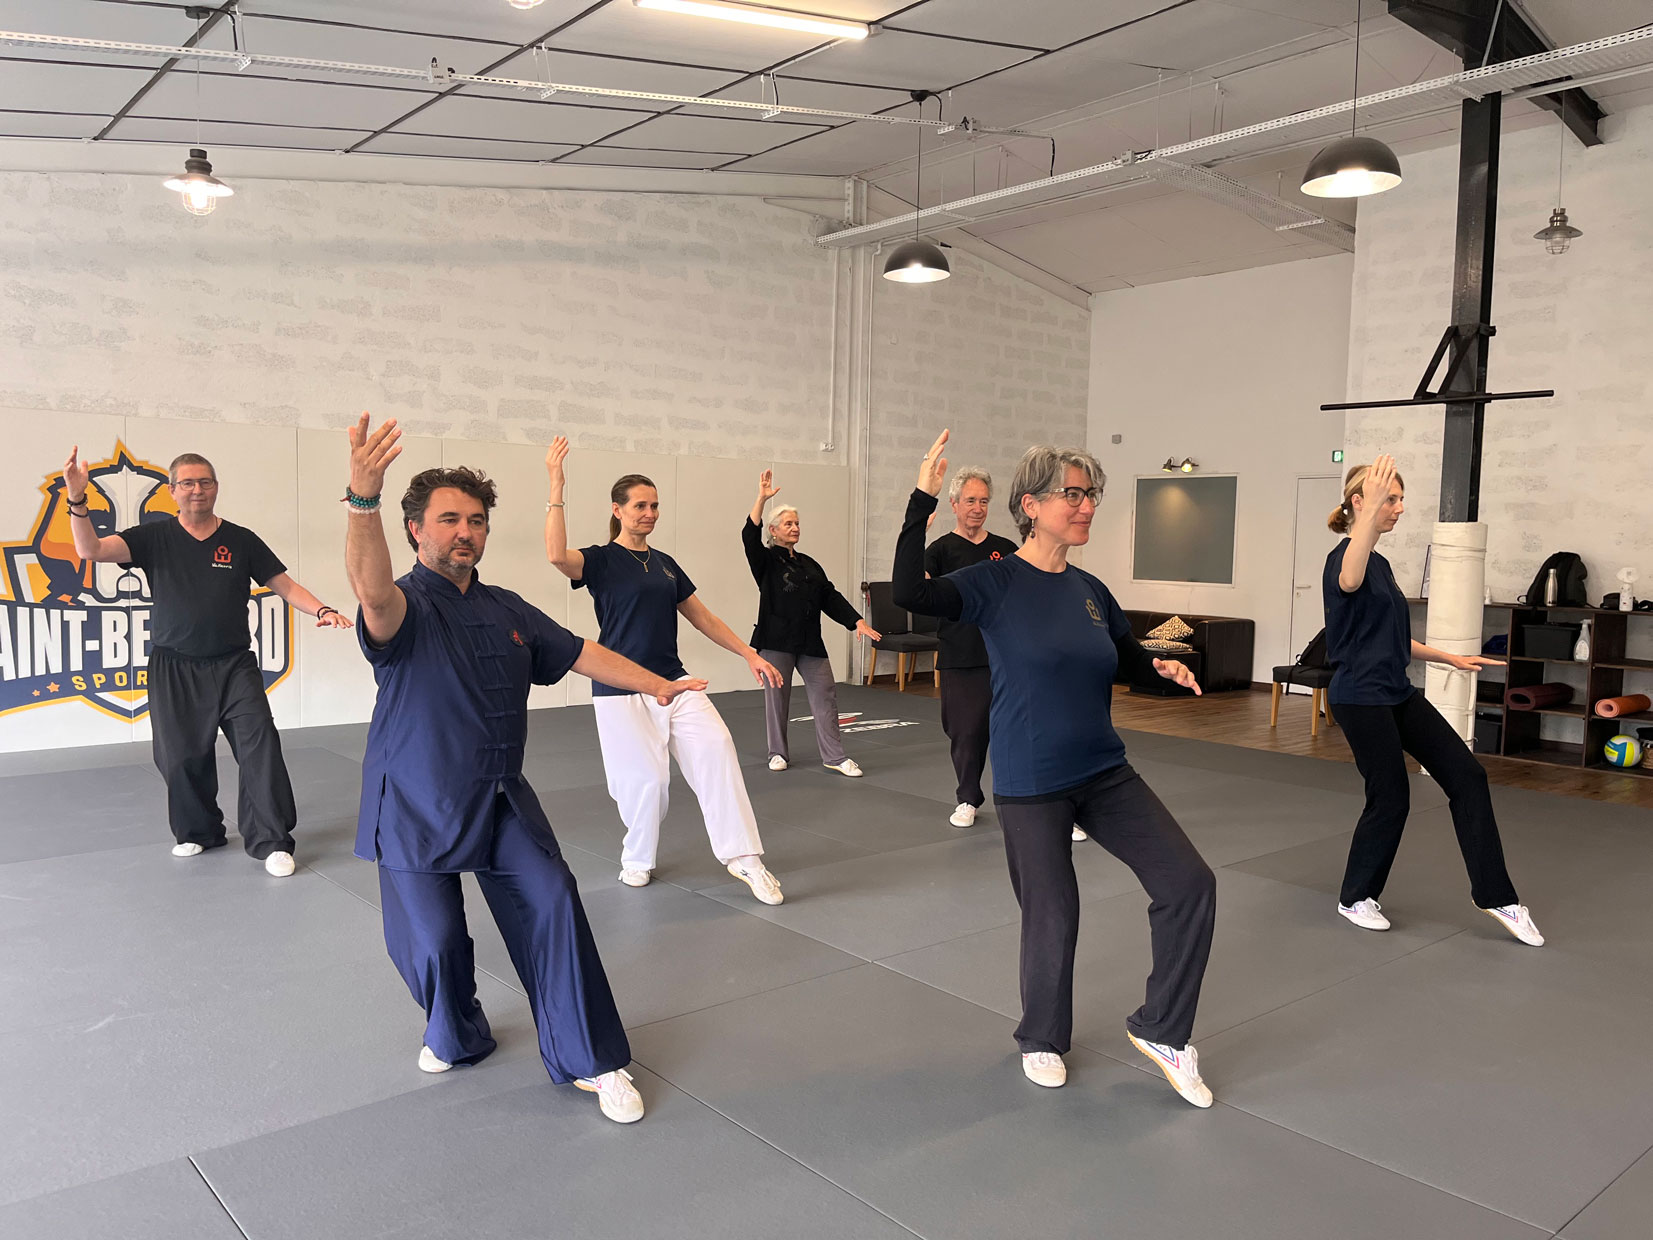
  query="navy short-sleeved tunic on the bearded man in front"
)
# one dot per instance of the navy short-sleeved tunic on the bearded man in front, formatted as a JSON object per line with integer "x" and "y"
{"x": 450, "y": 722}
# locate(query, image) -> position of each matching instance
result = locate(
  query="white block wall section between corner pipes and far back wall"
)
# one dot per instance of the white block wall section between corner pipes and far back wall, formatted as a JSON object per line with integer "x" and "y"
{"x": 1001, "y": 363}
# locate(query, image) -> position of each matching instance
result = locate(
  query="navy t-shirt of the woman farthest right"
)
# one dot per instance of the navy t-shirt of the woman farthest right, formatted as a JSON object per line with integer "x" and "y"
{"x": 1368, "y": 636}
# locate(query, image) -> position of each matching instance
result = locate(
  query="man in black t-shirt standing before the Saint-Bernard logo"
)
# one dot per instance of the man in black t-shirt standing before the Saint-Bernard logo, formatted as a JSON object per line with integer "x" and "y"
{"x": 202, "y": 674}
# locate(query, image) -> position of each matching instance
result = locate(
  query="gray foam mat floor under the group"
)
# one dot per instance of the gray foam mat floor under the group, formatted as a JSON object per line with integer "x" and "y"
{"x": 193, "y": 1049}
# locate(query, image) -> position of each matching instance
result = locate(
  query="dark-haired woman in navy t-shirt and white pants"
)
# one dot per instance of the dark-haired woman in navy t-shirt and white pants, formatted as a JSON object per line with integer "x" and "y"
{"x": 639, "y": 593}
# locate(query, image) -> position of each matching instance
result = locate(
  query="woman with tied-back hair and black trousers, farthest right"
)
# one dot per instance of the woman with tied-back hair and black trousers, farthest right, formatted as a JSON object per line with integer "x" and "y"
{"x": 1370, "y": 646}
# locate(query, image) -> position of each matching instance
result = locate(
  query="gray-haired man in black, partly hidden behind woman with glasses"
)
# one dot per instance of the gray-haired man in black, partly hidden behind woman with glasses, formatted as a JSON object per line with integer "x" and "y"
{"x": 966, "y": 680}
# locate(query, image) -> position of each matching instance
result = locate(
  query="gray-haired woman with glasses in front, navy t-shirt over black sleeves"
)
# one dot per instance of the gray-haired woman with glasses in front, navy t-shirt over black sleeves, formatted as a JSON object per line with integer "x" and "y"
{"x": 1059, "y": 642}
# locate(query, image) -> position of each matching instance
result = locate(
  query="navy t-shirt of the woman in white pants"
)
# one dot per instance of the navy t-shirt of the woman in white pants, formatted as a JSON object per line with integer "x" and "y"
{"x": 637, "y": 608}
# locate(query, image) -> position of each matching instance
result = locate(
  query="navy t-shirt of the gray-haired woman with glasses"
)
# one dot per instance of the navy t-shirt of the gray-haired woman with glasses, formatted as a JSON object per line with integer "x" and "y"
{"x": 1050, "y": 644}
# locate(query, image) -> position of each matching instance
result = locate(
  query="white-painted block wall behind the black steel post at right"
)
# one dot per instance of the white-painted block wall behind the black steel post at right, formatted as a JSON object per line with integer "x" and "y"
{"x": 1560, "y": 475}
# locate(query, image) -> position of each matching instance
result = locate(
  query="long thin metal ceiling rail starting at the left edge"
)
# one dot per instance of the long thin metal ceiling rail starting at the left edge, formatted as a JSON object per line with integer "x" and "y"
{"x": 432, "y": 75}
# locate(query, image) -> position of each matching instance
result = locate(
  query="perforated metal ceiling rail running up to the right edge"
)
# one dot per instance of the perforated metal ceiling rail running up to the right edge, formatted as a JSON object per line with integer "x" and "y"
{"x": 1556, "y": 70}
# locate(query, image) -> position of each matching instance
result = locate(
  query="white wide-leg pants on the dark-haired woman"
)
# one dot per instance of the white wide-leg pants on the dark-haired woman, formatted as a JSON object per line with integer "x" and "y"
{"x": 641, "y": 738}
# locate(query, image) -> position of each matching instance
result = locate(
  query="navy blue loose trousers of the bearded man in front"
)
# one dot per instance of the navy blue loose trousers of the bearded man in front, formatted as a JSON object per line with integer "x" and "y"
{"x": 538, "y": 910}
